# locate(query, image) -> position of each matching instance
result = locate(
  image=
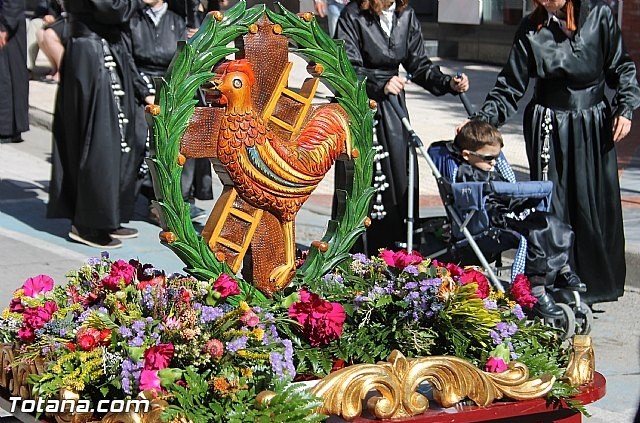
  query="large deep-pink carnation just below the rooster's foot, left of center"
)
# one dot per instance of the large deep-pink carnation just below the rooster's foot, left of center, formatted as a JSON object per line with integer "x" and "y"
{"x": 321, "y": 320}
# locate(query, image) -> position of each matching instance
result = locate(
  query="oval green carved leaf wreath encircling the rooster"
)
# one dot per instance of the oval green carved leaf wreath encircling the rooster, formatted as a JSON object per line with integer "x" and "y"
{"x": 192, "y": 67}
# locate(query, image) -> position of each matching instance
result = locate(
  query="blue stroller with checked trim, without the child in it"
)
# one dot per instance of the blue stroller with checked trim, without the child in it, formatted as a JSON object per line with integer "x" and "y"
{"x": 470, "y": 223}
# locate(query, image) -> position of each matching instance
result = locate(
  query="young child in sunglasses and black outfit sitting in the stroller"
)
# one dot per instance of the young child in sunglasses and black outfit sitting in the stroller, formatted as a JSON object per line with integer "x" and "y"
{"x": 476, "y": 148}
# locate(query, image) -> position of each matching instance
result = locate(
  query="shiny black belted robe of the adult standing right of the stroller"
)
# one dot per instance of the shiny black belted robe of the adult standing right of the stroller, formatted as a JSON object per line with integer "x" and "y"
{"x": 570, "y": 74}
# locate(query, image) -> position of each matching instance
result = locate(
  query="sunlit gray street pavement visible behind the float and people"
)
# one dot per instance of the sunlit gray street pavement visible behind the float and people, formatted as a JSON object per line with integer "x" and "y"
{"x": 31, "y": 244}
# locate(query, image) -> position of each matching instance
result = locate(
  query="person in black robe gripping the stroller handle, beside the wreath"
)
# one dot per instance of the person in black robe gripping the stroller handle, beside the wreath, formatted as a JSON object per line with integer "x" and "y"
{"x": 379, "y": 36}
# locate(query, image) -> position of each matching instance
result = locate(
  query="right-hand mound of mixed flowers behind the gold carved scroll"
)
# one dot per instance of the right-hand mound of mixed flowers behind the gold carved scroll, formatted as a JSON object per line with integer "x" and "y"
{"x": 402, "y": 301}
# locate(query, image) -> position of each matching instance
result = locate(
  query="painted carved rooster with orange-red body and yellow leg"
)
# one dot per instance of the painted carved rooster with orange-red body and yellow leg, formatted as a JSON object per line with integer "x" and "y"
{"x": 269, "y": 172}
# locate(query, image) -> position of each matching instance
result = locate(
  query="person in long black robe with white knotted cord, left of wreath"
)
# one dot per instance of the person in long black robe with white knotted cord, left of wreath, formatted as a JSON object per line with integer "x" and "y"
{"x": 96, "y": 155}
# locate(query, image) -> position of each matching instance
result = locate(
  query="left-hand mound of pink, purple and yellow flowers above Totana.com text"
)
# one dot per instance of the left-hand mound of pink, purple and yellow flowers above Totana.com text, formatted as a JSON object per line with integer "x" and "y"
{"x": 119, "y": 328}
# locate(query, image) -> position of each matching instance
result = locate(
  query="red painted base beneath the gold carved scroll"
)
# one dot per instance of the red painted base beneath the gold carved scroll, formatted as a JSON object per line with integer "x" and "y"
{"x": 533, "y": 411}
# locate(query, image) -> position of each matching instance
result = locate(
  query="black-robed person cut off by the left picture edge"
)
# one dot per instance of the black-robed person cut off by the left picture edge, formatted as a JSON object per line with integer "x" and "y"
{"x": 14, "y": 76}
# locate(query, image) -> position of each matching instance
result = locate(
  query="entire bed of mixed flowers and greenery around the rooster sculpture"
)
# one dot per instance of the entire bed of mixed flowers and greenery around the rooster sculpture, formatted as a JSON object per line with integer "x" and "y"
{"x": 117, "y": 328}
